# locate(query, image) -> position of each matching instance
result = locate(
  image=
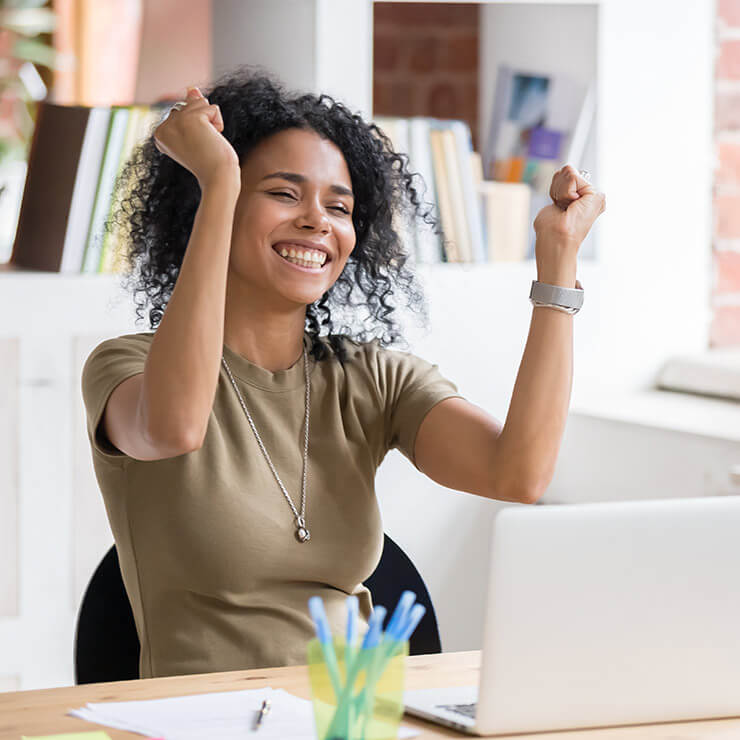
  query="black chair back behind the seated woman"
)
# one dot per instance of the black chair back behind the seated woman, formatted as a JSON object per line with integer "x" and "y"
{"x": 107, "y": 646}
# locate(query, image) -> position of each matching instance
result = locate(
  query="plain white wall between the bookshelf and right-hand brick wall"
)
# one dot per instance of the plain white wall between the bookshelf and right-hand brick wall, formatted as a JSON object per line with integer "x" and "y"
{"x": 656, "y": 154}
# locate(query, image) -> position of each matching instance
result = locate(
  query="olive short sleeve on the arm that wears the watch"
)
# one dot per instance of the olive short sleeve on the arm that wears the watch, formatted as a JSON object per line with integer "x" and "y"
{"x": 409, "y": 387}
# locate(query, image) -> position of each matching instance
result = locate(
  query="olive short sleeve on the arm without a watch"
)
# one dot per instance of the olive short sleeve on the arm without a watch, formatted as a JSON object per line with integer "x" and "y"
{"x": 107, "y": 366}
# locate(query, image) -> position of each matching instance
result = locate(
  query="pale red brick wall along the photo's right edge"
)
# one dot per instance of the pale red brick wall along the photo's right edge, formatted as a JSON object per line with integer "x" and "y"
{"x": 725, "y": 330}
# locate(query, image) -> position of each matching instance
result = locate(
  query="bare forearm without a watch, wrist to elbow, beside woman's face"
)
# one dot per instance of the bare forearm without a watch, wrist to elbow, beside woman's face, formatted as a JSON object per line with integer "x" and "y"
{"x": 182, "y": 367}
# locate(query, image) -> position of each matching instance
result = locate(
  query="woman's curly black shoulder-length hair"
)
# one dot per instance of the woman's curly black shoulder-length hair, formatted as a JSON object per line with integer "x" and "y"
{"x": 157, "y": 200}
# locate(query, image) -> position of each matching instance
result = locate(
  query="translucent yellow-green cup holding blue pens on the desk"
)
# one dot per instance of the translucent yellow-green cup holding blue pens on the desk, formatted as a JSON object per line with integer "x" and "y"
{"x": 363, "y": 700}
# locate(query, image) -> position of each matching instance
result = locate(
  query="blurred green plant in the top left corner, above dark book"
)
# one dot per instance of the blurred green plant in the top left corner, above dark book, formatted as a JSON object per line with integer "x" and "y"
{"x": 22, "y": 51}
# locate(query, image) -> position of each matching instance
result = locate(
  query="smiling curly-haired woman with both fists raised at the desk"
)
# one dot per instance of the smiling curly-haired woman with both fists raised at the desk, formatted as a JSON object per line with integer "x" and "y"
{"x": 236, "y": 445}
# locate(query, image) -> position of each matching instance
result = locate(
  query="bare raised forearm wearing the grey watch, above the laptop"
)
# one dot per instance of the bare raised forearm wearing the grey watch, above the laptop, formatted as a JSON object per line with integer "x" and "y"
{"x": 531, "y": 437}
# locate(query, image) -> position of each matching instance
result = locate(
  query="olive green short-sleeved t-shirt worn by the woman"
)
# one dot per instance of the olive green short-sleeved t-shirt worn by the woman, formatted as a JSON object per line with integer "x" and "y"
{"x": 216, "y": 578}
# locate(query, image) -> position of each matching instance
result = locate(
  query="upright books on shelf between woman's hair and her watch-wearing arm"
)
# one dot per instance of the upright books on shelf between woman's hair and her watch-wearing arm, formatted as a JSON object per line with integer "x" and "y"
{"x": 482, "y": 221}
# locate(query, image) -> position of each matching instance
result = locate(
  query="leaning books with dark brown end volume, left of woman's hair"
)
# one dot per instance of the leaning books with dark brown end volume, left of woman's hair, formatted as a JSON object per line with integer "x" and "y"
{"x": 75, "y": 158}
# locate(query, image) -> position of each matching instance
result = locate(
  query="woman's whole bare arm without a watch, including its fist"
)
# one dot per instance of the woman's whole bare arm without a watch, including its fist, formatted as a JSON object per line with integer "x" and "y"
{"x": 164, "y": 411}
